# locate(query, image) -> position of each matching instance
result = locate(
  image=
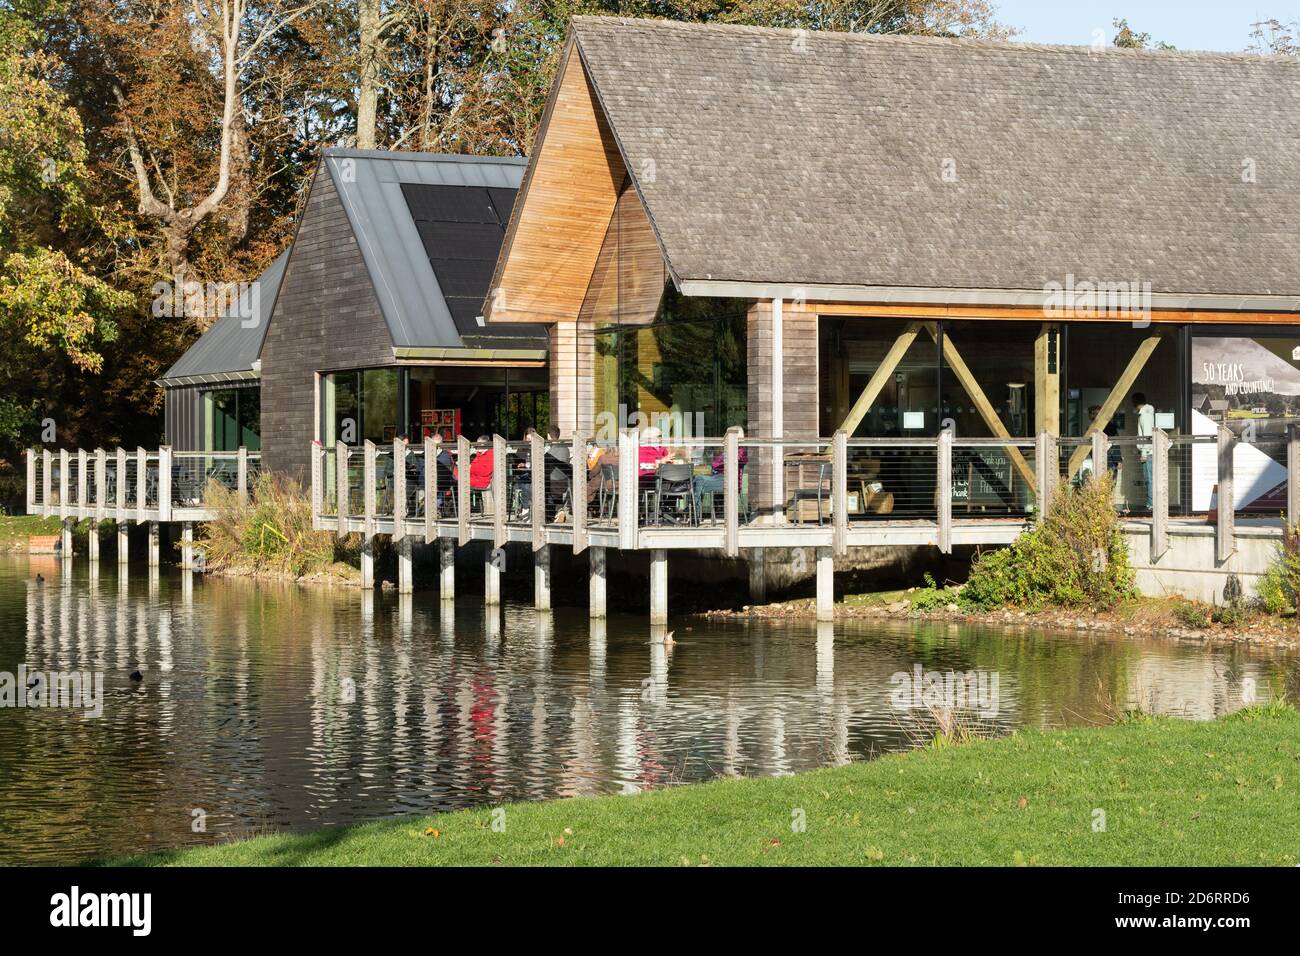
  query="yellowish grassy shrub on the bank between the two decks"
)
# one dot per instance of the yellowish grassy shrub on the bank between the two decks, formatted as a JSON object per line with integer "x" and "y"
{"x": 270, "y": 533}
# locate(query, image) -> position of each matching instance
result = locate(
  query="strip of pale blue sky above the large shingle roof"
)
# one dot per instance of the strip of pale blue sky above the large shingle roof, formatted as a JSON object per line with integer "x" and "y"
{"x": 1188, "y": 24}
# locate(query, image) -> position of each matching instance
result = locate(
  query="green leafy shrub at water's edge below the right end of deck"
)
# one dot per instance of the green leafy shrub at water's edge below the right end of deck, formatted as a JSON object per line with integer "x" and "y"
{"x": 1076, "y": 557}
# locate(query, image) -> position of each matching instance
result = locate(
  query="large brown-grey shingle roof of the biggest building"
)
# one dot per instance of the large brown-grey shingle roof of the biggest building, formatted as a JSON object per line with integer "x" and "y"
{"x": 820, "y": 158}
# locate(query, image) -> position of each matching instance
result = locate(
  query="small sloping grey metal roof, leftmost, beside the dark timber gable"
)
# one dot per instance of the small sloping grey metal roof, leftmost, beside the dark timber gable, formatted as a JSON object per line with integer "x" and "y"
{"x": 231, "y": 348}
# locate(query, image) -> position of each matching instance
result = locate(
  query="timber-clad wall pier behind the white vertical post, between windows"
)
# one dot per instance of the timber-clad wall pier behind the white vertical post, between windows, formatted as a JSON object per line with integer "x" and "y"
{"x": 800, "y": 388}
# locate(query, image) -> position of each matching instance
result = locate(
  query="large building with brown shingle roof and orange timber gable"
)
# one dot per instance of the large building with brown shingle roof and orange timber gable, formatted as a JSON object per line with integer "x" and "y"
{"x": 803, "y": 232}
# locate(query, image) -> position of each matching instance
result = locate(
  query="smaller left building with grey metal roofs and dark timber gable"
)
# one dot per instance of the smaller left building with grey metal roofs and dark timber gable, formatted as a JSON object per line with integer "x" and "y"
{"x": 369, "y": 326}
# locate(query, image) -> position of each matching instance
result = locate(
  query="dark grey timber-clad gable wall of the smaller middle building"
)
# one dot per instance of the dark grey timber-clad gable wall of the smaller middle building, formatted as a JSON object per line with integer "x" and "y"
{"x": 326, "y": 318}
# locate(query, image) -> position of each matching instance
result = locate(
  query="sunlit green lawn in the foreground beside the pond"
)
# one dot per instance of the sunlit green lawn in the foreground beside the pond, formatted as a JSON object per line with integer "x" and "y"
{"x": 1175, "y": 793}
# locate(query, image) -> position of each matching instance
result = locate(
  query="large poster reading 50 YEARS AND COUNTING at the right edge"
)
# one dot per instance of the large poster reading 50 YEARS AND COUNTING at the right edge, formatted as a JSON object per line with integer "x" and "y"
{"x": 1253, "y": 387}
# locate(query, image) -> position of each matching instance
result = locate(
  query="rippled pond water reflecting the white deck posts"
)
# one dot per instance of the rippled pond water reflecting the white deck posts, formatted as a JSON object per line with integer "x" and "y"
{"x": 268, "y": 708}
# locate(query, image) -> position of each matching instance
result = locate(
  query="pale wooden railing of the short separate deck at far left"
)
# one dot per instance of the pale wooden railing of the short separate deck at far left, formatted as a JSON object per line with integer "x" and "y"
{"x": 142, "y": 486}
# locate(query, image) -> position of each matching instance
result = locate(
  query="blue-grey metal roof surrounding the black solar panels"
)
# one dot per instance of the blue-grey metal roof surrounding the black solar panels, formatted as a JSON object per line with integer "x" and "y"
{"x": 370, "y": 184}
